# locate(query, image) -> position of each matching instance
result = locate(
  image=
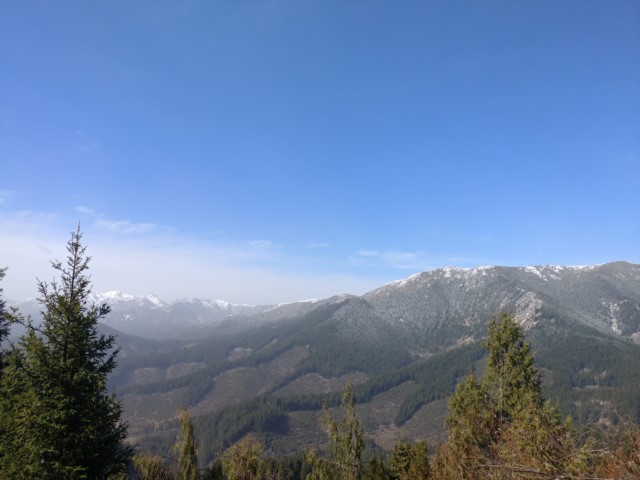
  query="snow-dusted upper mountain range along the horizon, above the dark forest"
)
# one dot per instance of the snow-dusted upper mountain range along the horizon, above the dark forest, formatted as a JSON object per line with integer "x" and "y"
{"x": 440, "y": 307}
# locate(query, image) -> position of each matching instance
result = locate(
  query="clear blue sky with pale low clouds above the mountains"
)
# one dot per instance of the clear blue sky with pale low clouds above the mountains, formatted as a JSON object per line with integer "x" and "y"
{"x": 272, "y": 151}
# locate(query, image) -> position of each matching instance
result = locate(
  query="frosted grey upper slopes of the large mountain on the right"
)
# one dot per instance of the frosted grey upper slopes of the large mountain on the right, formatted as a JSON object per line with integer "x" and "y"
{"x": 441, "y": 308}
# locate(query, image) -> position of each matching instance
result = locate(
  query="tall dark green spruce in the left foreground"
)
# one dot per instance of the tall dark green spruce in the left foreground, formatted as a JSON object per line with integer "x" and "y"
{"x": 56, "y": 415}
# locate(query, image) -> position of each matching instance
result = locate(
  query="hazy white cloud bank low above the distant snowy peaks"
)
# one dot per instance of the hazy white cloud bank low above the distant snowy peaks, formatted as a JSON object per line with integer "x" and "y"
{"x": 143, "y": 258}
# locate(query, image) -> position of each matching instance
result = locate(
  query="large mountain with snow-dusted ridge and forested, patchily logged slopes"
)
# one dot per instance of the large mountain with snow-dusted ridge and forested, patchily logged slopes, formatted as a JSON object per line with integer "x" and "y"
{"x": 405, "y": 344}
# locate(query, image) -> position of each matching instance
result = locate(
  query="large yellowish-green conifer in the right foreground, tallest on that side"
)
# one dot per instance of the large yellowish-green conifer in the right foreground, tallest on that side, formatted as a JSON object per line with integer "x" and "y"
{"x": 501, "y": 427}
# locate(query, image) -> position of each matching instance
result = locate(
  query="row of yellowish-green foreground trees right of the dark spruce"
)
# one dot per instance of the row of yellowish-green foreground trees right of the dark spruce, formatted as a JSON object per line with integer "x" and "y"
{"x": 499, "y": 426}
